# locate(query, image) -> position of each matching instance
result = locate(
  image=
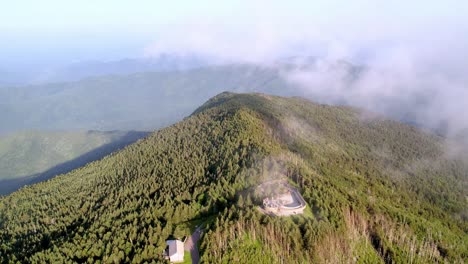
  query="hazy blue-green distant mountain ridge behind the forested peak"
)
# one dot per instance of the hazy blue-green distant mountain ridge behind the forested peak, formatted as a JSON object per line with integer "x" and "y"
{"x": 139, "y": 101}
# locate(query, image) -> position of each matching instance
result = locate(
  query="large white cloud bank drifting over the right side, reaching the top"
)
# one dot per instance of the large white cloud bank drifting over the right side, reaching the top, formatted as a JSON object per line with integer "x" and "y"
{"x": 403, "y": 60}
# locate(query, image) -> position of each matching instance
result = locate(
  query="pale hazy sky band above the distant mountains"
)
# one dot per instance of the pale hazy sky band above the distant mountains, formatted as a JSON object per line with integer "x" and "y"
{"x": 56, "y": 33}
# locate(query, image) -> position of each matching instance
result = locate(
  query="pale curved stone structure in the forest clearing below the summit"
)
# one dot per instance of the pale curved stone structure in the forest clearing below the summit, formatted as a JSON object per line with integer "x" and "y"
{"x": 281, "y": 199}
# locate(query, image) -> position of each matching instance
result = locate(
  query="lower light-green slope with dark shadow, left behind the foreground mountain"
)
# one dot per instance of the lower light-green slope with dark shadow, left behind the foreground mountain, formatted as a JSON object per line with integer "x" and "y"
{"x": 28, "y": 156}
